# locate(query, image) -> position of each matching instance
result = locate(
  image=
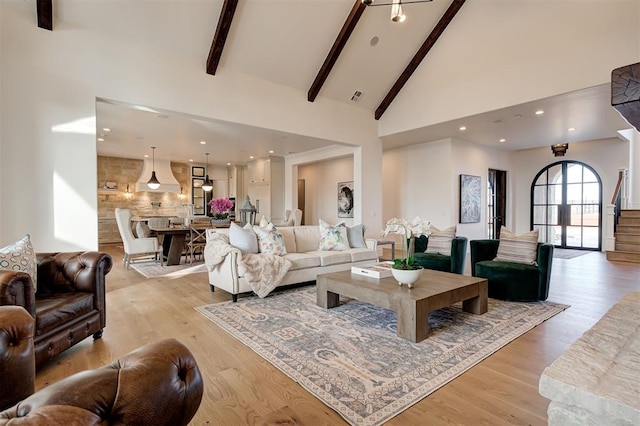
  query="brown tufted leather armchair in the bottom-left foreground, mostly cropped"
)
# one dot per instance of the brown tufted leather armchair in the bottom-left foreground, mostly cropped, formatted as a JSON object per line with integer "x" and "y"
{"x": 158, "y": 384}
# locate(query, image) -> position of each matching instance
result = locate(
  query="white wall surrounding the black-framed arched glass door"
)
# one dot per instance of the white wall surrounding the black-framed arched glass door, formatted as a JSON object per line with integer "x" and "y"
{"x": 605, "y": 156}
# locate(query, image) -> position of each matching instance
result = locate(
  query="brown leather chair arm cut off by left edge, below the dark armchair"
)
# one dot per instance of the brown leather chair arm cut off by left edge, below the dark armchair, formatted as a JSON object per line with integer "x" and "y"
{"x": 17, "y": 355}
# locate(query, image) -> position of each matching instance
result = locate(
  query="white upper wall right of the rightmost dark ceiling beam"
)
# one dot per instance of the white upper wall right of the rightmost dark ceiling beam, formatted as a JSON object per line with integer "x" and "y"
{"x": 486, "y": 59}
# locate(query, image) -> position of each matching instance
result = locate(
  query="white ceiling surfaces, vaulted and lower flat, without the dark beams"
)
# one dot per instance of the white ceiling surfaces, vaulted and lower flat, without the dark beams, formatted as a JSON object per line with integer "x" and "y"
{"x": 286, "y": 41}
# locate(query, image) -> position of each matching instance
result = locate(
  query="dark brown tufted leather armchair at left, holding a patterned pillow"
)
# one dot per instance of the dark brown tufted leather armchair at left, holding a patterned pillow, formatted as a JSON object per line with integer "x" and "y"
{"x": 69, "y": 304}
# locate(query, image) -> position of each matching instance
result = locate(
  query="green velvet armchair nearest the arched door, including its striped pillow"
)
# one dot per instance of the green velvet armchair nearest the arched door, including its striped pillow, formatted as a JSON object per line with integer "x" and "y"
{"x": 516, "y": 270}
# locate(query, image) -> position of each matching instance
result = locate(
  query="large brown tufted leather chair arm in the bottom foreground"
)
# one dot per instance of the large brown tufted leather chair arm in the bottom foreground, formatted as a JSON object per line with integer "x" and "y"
{"x": 158, "y": 384}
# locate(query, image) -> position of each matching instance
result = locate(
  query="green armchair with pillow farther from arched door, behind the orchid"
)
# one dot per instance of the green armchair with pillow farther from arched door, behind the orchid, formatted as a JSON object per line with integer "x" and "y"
{"x": 442, "y": 251}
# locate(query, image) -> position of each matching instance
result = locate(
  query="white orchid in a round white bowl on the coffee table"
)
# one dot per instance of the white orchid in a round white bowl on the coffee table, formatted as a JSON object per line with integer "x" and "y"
{"x": 405, "y": 270}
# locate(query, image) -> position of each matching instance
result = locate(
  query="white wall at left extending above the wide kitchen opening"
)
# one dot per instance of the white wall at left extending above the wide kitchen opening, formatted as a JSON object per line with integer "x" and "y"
{"x": 50, "y": 78}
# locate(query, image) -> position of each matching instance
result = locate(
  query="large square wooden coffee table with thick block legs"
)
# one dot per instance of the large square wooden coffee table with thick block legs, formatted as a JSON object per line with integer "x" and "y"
{"x": 434, "y": 290}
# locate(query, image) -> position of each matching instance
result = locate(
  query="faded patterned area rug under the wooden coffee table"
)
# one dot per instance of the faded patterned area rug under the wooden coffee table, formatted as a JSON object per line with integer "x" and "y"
{"x": 350, "y": 357}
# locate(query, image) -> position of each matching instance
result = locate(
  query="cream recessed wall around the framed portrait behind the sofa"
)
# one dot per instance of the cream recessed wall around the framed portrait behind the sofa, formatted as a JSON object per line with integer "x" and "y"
{"x": 321, "y": 183}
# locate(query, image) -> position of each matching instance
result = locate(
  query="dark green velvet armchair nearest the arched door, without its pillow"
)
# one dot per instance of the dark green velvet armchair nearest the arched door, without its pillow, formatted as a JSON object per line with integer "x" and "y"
{"x": 510, "y": 280}
